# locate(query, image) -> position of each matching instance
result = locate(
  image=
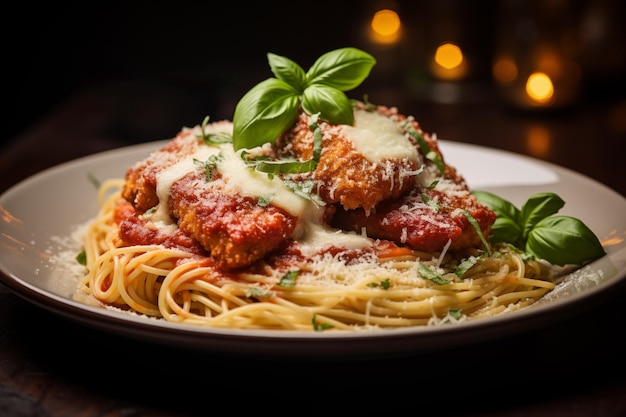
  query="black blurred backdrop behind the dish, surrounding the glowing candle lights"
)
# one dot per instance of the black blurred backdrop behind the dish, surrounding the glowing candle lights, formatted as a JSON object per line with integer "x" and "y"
{"x": 189, "y": 59}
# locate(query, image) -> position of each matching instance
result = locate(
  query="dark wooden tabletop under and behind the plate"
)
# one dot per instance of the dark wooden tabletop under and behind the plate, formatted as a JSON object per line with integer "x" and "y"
{"x": 574, "y": 366}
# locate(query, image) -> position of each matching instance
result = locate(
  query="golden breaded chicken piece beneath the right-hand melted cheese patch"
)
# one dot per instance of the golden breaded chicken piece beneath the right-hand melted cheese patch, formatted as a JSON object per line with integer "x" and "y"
{"x": 351, "y": 171}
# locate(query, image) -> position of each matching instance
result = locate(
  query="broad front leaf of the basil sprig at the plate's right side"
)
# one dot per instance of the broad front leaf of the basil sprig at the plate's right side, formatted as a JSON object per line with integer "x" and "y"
{"x": 563, "y": 240}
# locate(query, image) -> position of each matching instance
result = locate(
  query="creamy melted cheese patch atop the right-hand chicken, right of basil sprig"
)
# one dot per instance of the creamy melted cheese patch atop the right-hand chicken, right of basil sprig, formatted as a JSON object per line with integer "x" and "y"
{"x": 377, "y": 137}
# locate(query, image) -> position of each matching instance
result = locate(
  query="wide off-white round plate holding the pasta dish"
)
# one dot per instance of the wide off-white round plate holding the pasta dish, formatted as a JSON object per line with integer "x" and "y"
{"x": 40, "y": 213}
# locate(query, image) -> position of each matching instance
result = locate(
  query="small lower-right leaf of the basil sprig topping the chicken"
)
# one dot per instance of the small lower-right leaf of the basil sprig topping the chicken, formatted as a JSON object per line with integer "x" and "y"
{"x": 332, "y": 105}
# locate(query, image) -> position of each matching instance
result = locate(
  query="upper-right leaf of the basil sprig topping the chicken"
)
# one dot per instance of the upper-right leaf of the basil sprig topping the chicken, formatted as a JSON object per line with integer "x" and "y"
{"x": 343, "y": 69}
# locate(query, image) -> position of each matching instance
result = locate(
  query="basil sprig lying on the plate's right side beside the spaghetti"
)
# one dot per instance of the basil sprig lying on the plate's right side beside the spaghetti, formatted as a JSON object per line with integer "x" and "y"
{"x": 538, "y": 231}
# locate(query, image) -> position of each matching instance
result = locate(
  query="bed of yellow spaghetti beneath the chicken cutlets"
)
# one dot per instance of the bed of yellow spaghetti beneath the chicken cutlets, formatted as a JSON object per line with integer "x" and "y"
{"x": 328, "y": 294}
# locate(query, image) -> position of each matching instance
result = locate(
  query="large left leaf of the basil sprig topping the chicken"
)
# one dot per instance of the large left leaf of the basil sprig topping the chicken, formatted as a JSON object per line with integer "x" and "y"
{"x": 263, "y": 113}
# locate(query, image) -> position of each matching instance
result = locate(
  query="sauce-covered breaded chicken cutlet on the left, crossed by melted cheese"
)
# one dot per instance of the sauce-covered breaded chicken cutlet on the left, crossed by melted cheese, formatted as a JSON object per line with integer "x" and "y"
{"x": 173, "y": 183}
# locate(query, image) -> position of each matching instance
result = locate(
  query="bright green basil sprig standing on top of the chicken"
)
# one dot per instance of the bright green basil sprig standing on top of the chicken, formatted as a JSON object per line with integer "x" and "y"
{"x": 272, "y": 106}
